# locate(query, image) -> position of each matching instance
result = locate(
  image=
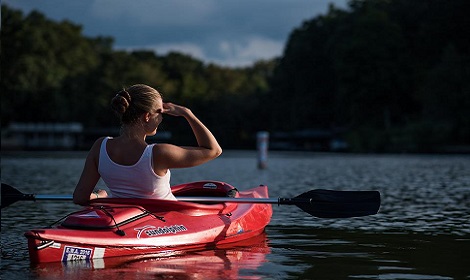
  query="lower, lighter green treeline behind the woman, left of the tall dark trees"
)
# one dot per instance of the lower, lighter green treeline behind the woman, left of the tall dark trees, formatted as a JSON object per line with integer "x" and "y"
{"x": 52, "y": 73}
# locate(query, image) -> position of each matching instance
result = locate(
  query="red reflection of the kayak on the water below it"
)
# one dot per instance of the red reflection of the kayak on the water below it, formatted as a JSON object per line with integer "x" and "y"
{"x": 238, "y": 257}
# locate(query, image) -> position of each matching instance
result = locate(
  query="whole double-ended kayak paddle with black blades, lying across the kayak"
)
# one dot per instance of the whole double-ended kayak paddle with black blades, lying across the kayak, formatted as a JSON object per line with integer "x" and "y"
{"x": 319, "y": 203}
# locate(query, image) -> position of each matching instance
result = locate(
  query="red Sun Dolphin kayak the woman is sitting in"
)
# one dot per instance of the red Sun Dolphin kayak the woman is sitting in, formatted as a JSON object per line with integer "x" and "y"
{"x": 112, "y": 227}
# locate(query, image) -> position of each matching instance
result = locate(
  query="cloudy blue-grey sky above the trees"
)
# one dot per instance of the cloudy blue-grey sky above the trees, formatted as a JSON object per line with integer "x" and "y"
{"x": 226, "y": 32}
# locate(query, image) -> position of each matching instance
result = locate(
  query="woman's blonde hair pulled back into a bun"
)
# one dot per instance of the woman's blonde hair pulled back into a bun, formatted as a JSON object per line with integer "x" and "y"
{"x": 129, "y": 104}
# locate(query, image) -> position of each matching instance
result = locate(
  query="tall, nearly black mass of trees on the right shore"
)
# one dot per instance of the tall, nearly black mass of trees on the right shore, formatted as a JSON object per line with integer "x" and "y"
{"x": 385, "y": 71}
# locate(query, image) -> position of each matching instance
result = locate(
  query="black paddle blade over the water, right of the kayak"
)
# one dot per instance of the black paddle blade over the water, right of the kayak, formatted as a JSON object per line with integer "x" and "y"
{"x": 338, "y": 204}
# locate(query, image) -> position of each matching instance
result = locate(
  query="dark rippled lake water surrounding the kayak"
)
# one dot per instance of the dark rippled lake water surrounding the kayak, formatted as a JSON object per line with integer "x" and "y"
{"x": 421, "y": 232}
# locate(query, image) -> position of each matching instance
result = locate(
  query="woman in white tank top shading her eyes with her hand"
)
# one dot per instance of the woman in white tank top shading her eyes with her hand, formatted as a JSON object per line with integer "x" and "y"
{"x": 127, "y": 164}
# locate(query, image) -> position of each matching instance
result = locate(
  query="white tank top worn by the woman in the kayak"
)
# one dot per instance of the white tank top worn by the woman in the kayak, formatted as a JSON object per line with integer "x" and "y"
{"x": 134, "y": 181}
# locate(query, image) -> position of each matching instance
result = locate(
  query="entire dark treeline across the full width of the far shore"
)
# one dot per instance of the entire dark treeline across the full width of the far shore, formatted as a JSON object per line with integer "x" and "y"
{"x": 392, "y": 76}
